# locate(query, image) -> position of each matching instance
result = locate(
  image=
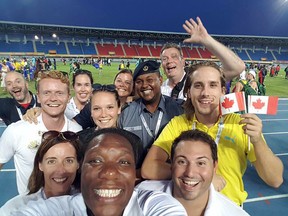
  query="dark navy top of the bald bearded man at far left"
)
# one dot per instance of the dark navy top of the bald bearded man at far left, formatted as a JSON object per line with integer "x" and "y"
{"x": 10, "y": 108}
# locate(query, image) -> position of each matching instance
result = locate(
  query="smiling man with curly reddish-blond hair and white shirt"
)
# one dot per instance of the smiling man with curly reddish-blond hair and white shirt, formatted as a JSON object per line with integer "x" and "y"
{"x": 21, "y": 139}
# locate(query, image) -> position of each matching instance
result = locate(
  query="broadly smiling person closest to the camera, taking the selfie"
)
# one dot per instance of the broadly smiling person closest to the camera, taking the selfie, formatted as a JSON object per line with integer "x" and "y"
{"x": 107, "y": 183}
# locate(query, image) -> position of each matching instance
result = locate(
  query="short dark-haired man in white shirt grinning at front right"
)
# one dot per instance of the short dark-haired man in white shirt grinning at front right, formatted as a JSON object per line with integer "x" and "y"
{"x": 193, "y": 164}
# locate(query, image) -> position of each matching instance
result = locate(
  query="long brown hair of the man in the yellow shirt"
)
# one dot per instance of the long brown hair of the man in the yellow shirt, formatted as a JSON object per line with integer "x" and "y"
{"x": 188, "y": 106}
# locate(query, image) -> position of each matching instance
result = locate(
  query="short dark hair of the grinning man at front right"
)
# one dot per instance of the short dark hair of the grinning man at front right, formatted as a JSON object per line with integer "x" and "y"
{"x": 195, "y": 135}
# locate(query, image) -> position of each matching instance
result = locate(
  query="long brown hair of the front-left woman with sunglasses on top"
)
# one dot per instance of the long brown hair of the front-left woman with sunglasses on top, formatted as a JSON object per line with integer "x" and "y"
{"x": 36, "y": 180}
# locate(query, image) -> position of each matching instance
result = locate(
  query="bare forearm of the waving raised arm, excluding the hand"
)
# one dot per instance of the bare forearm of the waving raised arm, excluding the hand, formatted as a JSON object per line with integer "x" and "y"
{"x": 232, "y": 64}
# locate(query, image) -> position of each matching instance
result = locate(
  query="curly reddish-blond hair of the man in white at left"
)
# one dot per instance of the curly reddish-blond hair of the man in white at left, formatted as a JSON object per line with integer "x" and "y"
{"x": 63, "y": 77}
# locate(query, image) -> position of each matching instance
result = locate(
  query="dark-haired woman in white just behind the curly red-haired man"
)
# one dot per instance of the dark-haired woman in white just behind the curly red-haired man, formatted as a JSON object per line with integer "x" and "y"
{"x": 82, "y": 84}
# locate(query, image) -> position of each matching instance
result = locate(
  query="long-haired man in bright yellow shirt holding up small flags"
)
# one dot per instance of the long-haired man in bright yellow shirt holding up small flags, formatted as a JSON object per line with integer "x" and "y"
{"x": 204, "y": 86}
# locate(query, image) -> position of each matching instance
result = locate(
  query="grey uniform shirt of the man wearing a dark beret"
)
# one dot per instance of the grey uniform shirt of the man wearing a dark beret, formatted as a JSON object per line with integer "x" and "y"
{"x": 130, "y": 118}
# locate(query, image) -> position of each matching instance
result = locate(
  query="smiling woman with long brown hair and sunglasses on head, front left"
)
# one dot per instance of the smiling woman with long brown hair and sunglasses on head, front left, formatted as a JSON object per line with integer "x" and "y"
{"x": 55, "y": 170}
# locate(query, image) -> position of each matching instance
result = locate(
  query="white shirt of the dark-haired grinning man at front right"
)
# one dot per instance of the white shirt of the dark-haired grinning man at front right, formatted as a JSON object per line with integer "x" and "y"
{"x": 218, "y": 204}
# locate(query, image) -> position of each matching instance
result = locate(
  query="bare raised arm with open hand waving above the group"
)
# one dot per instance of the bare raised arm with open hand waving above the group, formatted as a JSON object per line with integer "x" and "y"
{"x": 232, "y": 64}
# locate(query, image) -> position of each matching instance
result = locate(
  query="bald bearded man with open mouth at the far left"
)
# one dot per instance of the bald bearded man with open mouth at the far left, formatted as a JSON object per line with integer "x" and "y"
{"x": 12, "y": 109}
